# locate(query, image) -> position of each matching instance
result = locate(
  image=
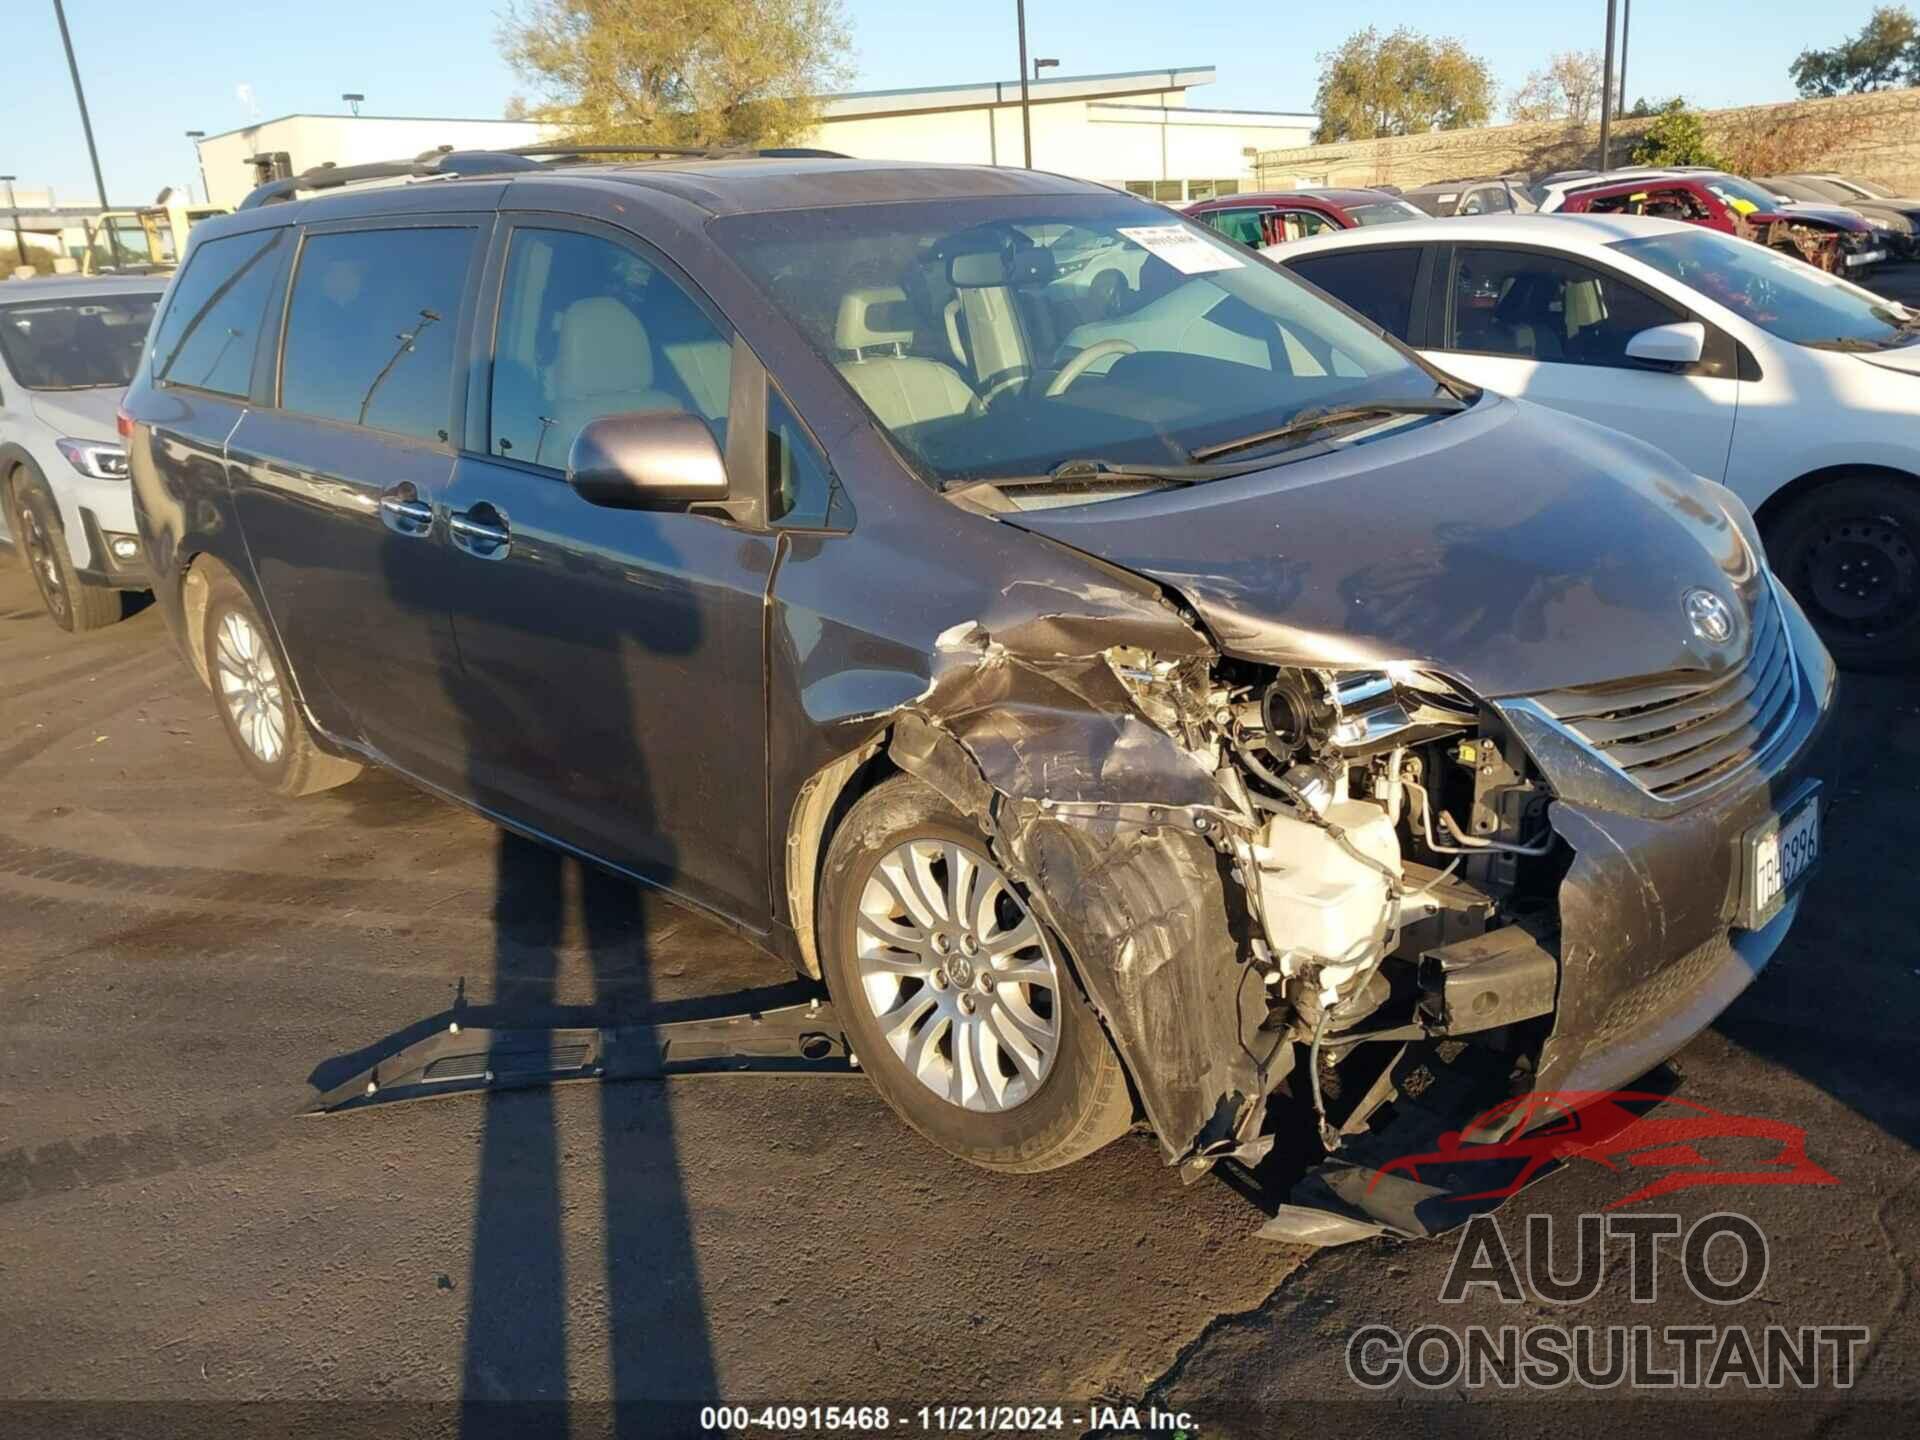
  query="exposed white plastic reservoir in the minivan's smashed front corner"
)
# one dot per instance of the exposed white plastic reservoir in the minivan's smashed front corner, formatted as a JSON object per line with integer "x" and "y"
{"x": 1314, "y": 896}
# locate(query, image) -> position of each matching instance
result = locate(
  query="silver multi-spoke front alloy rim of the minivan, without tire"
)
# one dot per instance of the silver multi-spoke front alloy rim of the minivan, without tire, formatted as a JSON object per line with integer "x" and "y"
{"x": 959, "y": 974}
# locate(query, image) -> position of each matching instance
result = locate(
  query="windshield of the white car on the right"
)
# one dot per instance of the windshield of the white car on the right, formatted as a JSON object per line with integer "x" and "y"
{"x": 1779, "y": 293}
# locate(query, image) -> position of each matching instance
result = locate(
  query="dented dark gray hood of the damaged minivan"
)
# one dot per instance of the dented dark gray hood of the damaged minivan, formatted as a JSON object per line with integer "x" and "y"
{"x": 1516, "y": 550}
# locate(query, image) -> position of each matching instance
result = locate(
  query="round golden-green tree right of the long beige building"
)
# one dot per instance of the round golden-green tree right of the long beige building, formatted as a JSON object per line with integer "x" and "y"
{"x": 1401, "y": 84}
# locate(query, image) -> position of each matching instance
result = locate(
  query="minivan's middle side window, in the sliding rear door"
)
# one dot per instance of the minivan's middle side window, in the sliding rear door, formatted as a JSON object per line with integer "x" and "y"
{"x": 372, "y": 327}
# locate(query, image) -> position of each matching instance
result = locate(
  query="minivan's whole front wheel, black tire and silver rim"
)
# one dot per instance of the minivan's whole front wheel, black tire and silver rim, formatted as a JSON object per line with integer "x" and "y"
{"x": 955, "y": 997}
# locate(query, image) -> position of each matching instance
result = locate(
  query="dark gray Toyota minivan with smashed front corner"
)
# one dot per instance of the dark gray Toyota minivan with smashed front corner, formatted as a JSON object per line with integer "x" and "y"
{"x": 1136, "y": 686}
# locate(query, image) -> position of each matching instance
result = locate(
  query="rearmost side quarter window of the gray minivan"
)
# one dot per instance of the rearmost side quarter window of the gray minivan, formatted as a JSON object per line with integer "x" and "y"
{"x": 210, "y": 331}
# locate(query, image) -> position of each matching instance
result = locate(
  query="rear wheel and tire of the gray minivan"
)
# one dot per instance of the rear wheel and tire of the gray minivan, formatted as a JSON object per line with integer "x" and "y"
{"x": 254, "y": 696}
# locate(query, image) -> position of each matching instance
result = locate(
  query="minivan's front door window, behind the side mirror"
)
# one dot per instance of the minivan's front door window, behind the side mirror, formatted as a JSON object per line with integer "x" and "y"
{"x": 588, "y": 329}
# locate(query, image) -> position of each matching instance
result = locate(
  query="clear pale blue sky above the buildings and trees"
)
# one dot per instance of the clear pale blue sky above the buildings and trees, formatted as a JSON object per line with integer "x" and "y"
{"x": 155, "y": 72}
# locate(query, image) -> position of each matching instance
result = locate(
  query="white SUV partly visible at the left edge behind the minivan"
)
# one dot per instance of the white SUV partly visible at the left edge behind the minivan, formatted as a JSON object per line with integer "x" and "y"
{"x": 68, "y": 348}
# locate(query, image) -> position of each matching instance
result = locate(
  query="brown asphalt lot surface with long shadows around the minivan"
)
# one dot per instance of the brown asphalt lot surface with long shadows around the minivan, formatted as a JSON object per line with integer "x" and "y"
{"x": 187, "y": 959}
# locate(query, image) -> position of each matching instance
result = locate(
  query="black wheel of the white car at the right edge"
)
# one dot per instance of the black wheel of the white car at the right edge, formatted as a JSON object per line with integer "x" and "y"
{"x": 1850, "y": 552}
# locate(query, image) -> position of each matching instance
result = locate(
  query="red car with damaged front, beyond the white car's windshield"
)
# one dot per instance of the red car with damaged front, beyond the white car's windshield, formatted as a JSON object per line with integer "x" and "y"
{"x": 1833, "y": 239}
